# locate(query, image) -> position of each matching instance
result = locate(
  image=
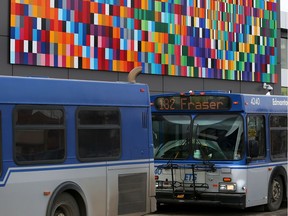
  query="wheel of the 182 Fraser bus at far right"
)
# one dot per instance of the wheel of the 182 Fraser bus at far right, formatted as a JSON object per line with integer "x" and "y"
{"x": 275, "y": 194}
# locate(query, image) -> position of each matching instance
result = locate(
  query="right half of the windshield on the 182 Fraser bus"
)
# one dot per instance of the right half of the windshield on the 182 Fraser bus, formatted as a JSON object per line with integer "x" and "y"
{"x": 219, "y": 137}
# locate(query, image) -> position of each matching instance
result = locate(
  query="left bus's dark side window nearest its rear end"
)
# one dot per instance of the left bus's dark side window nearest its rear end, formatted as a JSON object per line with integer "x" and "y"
{"x": 98, "y": 134}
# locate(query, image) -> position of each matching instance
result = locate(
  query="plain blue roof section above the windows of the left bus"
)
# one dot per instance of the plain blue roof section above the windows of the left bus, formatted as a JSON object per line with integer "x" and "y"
{"x": 31, "y": 90}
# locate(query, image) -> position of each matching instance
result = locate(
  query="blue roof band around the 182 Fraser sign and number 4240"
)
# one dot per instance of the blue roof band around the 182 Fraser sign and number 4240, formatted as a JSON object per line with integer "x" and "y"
{"x": 239, "y": 102}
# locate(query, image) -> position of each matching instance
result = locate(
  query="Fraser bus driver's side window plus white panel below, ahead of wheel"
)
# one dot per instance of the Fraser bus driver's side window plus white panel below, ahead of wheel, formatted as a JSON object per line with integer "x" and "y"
{"x": 257, "y": 178}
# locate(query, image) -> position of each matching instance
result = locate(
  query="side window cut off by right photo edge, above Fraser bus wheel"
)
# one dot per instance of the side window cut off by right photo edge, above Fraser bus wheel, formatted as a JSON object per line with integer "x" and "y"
{"x": 278, "y": 137}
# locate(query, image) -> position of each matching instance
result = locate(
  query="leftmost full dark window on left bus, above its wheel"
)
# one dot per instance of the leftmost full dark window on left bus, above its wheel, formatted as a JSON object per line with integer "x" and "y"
{"x": 38, "y": 134}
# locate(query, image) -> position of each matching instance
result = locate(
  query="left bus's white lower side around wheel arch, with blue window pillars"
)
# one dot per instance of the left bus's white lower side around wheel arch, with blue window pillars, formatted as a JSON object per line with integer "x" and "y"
{"x": 27, "y": 184}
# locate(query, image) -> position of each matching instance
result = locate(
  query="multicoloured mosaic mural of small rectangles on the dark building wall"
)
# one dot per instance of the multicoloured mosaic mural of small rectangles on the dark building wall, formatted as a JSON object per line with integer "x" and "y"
{"x": 222, "y": 39}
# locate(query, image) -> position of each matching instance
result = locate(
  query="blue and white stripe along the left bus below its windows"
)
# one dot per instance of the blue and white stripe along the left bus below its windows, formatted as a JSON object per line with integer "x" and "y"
{"x": 66, "y": 167}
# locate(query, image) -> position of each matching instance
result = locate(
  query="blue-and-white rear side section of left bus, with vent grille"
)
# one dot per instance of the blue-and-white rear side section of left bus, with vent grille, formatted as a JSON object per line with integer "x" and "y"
{"x": 128, "y": 184}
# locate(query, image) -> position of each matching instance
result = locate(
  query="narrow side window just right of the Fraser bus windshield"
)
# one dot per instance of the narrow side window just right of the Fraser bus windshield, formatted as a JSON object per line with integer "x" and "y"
{"x": 256, "y": 136}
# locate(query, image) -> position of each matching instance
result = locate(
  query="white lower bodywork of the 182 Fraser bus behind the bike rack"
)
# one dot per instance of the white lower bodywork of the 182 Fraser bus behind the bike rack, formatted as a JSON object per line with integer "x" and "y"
{"x": 251, "y": 180}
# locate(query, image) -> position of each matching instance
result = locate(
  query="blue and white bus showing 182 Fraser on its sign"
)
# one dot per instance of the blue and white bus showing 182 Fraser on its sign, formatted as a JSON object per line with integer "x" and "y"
{"x": 216, "y": 147}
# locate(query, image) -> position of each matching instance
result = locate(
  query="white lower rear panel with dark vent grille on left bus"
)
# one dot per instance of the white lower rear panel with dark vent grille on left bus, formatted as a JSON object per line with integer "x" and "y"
{"x": 127, "y": 187}
